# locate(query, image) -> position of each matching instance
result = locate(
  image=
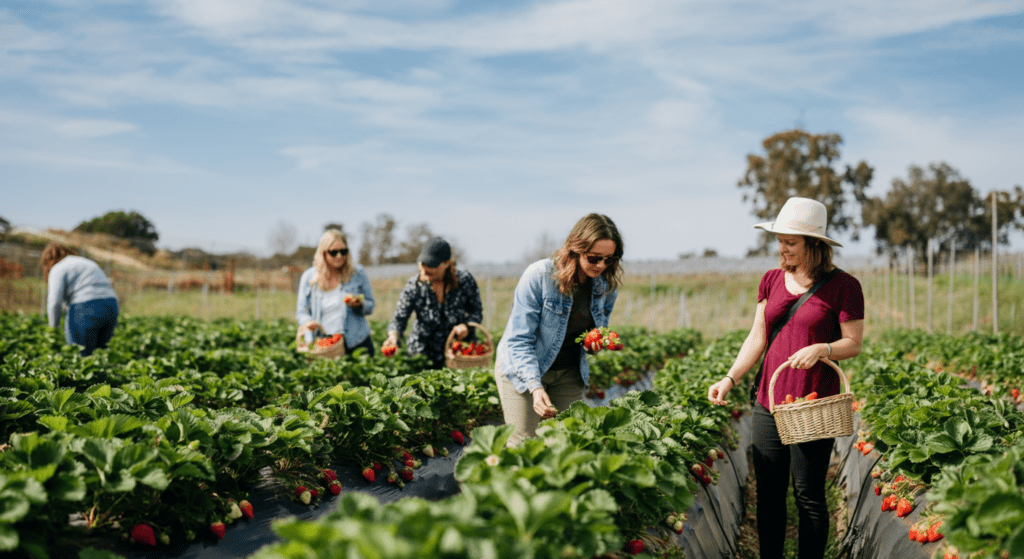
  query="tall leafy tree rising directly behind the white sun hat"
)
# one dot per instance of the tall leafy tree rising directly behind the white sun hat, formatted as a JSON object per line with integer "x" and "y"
{"x": 797, "y": 163}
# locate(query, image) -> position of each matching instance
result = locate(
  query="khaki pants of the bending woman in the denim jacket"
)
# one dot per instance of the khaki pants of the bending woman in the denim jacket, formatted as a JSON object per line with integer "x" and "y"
{"x": 565, "y": 386}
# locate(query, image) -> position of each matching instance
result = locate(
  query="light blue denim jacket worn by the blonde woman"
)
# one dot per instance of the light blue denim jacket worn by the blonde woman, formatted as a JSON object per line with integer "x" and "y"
{"x": 354, "y": 324}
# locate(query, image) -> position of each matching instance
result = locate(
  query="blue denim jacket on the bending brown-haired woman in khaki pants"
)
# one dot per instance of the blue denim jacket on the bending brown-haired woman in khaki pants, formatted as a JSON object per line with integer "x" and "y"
{"x": 537, "y": 326}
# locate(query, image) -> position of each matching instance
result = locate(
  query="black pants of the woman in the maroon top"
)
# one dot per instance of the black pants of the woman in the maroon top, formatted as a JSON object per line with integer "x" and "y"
{"x": 773, "y": 465}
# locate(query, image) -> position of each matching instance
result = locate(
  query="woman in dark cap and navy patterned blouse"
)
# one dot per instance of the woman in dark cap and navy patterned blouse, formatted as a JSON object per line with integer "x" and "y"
{"x": 443, "y": 297}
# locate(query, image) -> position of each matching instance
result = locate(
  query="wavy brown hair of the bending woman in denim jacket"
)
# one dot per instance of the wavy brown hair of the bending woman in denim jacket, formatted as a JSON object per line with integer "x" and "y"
{"x": 588, "y": 231}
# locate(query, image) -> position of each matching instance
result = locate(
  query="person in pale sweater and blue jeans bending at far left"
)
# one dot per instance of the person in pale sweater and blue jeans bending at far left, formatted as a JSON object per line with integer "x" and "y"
{"x": 79, "y": 285}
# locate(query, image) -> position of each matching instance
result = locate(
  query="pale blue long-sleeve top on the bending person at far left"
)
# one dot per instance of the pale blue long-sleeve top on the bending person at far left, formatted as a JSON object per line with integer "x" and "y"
{"x": 75, "y": 280}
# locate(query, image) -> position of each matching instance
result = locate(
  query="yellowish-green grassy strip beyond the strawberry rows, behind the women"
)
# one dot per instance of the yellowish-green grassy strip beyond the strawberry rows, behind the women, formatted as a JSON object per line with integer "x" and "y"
{"x": 714, "y": 304}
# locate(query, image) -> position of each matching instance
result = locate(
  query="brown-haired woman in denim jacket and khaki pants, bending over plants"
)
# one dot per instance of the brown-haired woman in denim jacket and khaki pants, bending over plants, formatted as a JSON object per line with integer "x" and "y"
{"x": 540, "y": 368}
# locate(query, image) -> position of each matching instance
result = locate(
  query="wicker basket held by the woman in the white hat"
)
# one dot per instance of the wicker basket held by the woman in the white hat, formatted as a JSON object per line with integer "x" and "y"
{"x": 823, "y": 418}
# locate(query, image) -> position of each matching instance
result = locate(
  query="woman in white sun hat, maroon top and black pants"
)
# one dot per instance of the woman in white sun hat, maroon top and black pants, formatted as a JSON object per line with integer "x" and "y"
{"x": 830, "y": 324}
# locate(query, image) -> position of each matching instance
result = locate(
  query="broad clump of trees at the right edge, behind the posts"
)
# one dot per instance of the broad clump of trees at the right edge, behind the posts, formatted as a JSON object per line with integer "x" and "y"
{"x": 938, "y": 203}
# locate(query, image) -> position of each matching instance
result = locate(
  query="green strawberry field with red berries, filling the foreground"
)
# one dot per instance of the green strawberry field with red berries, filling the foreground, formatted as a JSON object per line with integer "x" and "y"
{"x": 188, "y": 437}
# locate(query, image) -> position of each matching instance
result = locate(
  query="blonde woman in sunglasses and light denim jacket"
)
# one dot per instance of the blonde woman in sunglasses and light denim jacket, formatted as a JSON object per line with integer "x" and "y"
{"x": 335, "y": 296}
